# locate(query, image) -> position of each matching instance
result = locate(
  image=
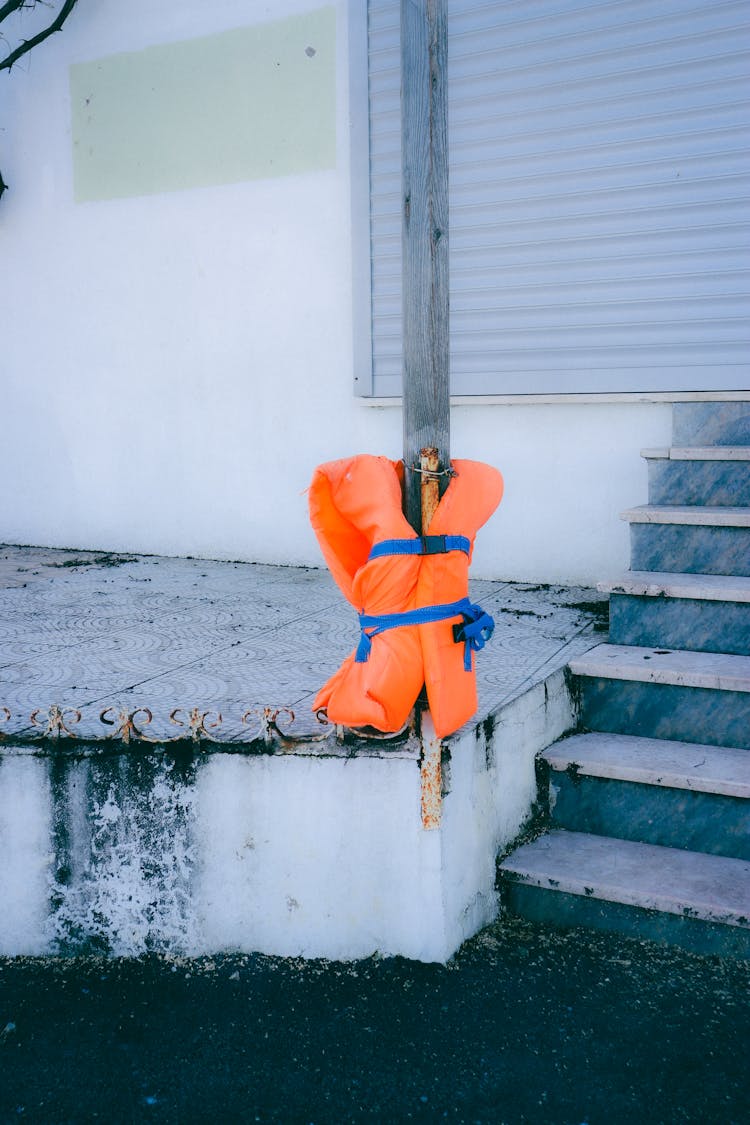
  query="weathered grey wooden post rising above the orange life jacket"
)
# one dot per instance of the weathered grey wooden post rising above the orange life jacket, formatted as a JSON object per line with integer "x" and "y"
{"x": 426, "y": 278}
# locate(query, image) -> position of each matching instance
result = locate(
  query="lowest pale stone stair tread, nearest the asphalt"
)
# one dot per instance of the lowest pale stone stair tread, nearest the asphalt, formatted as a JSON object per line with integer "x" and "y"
{"x": 648, "y": 876}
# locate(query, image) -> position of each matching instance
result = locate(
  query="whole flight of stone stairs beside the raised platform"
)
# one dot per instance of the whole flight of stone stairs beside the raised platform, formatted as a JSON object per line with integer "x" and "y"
{"x": 649, "y": 806}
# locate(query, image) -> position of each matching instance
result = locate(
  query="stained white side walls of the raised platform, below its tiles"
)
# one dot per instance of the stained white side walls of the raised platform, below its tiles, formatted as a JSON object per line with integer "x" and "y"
{"x": 285, "y": 853}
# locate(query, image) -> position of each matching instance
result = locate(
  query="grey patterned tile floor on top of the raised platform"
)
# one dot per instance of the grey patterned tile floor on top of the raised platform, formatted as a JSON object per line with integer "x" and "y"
{"x": 88, "y": 631}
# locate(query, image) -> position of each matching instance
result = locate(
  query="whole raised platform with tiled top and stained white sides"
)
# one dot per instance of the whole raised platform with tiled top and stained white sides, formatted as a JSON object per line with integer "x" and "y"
{"x": 166, "y": 787}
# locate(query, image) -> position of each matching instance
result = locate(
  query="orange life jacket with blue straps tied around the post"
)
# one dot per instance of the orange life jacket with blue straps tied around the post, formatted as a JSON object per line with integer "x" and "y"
{"x": 356, "y": 512}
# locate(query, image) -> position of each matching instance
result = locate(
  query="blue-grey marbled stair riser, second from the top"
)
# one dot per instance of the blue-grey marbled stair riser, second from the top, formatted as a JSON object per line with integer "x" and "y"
{"x": 722, "y": 483}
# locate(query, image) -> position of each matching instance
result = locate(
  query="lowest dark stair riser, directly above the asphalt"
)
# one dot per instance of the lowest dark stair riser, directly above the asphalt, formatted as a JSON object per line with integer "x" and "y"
{"x": 562, "y": 910}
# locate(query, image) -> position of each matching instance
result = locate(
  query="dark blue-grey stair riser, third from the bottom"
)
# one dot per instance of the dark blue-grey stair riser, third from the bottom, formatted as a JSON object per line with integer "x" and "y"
{"x": 686, "y": 715}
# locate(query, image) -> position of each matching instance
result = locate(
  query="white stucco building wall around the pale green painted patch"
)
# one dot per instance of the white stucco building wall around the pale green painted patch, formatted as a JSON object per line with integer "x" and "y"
{"x": 176, "y": 365}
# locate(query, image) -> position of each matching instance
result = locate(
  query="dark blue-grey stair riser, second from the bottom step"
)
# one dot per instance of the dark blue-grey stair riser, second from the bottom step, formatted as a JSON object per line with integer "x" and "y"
{"x": 680, "y": 818}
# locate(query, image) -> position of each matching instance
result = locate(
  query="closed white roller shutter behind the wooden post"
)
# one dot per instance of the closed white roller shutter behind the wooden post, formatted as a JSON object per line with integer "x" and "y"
{"x": 600, "y": 219}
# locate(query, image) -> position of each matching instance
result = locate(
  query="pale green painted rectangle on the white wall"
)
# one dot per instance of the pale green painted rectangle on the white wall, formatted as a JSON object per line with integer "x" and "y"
{"x": 242, "y": 105}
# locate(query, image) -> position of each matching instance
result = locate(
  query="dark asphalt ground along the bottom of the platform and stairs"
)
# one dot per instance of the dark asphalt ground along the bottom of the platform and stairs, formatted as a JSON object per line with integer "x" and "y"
{"x": 526, "y": 1024}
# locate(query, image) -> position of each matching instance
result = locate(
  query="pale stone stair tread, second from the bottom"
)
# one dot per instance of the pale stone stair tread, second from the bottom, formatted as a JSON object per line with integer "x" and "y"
{"x": 719, "y": 770}
